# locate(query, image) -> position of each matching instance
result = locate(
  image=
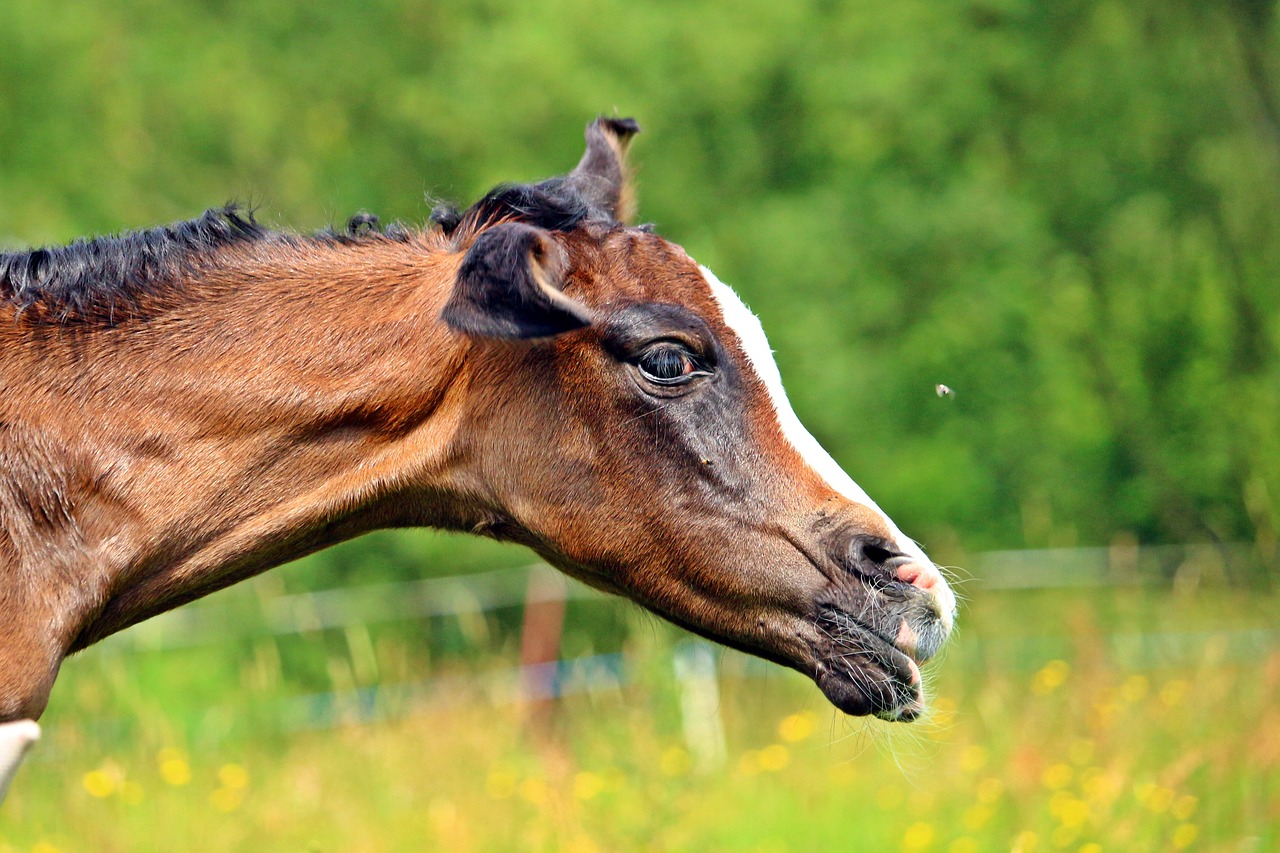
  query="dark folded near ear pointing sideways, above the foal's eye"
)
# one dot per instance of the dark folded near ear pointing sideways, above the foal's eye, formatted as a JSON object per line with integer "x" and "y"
{"x": 510, "y": 288}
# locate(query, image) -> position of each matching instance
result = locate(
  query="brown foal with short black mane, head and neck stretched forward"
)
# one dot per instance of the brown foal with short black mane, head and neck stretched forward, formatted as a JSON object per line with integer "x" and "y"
{"x": 188, "y": 407}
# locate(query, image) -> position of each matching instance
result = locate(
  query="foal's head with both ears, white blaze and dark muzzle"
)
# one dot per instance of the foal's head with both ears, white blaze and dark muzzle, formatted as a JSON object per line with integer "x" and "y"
{"x": 627, "y": 421}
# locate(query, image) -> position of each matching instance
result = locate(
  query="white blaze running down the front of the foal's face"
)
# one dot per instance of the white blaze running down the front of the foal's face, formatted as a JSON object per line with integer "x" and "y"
{"x": 756, "y": 345}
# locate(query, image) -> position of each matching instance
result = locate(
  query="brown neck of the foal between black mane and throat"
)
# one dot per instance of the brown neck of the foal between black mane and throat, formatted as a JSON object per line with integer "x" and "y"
{"x": 276, "y": 414}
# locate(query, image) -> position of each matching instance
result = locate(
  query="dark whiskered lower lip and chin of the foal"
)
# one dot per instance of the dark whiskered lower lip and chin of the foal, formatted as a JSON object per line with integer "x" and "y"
{"x": 863, "y": 674}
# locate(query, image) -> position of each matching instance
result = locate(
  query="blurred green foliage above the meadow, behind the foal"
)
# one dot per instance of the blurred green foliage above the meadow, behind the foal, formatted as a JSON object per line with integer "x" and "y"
{"x": 1069, "y": 213}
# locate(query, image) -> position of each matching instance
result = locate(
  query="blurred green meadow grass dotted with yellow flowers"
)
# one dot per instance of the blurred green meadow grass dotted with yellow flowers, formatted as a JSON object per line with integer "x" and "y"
{"x": 1107, "y": 719}
